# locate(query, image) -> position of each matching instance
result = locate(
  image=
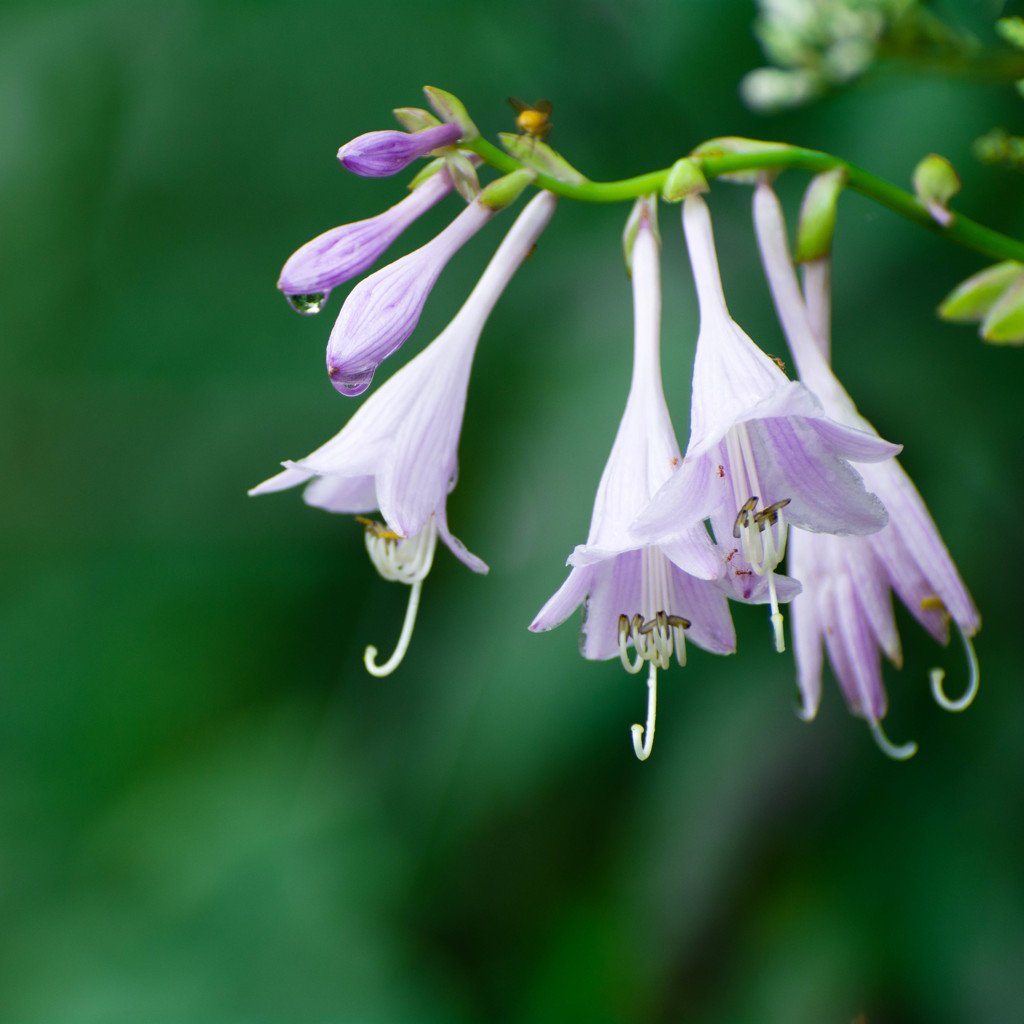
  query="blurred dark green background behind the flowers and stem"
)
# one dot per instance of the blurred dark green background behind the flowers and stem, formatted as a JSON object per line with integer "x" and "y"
{"x": 208, "y": 812}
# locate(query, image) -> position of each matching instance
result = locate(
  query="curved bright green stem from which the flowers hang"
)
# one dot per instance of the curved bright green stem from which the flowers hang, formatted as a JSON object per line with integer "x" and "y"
{"x": 962, "y": 230}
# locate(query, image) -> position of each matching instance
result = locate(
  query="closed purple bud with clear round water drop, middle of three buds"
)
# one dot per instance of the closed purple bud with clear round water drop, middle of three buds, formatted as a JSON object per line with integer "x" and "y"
{"x": 345, "y": 252}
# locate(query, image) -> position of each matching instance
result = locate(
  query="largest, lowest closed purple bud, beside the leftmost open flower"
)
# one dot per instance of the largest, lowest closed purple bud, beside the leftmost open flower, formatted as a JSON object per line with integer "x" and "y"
{"x": 383, "y": 310}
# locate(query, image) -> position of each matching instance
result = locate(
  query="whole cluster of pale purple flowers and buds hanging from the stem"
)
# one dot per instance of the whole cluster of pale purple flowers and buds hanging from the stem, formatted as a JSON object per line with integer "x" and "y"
{"x": 675, "y": 535}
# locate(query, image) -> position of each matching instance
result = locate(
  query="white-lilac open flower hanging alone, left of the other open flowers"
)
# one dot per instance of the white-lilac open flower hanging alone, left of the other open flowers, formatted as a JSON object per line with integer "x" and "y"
{"x": 399, "y": 453}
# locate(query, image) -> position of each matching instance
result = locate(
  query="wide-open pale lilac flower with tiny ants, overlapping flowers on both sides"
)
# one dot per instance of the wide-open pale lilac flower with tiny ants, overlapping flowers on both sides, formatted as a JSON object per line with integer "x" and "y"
{"x": 762, "y": 455}
